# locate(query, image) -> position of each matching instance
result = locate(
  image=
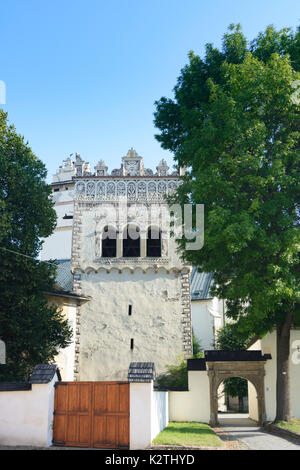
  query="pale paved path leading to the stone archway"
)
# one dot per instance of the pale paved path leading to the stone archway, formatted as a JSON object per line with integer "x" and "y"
{"x": 238, "y": 427}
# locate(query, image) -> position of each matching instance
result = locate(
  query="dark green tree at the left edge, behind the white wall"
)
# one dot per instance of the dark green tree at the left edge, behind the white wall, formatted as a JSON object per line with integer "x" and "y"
{"x": 31, "y": 329}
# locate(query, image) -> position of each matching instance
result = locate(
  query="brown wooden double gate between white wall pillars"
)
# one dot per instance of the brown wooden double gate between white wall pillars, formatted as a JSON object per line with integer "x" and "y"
{"x": 91, "y": 414}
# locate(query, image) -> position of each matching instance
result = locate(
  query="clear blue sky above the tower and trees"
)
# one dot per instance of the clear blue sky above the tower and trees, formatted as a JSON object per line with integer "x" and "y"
{"x": 82, "y": 76}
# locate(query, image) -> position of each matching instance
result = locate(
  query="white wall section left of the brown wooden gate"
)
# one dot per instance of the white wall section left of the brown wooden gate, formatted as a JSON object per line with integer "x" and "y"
{"x": 26, "y": 417}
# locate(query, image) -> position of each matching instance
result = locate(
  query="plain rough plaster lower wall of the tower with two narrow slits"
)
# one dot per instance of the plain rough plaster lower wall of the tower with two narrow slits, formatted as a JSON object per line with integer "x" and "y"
{"x": 106, "y": 328}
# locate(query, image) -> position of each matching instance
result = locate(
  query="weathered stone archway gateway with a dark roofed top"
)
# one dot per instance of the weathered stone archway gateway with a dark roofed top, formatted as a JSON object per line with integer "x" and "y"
{"x": 249, "y": 365}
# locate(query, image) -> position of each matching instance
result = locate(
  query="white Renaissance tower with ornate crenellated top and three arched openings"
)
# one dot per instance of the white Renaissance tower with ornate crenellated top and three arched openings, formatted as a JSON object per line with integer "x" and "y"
{"x": 124, "y": 260}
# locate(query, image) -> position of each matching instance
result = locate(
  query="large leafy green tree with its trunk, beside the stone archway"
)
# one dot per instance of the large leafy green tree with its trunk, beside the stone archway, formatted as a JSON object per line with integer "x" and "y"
{"x": 233, "y": 124}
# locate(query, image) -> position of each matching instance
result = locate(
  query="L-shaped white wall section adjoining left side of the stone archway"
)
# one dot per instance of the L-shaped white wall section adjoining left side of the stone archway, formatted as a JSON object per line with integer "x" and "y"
{"x": 193, "y": 405}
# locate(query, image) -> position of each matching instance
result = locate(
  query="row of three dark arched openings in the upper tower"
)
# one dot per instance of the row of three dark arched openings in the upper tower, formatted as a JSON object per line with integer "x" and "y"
{"x": 131, "y": 242}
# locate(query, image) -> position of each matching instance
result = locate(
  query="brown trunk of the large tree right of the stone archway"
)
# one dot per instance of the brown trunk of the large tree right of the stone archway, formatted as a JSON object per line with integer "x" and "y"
{"x": 283, "y": 405}
